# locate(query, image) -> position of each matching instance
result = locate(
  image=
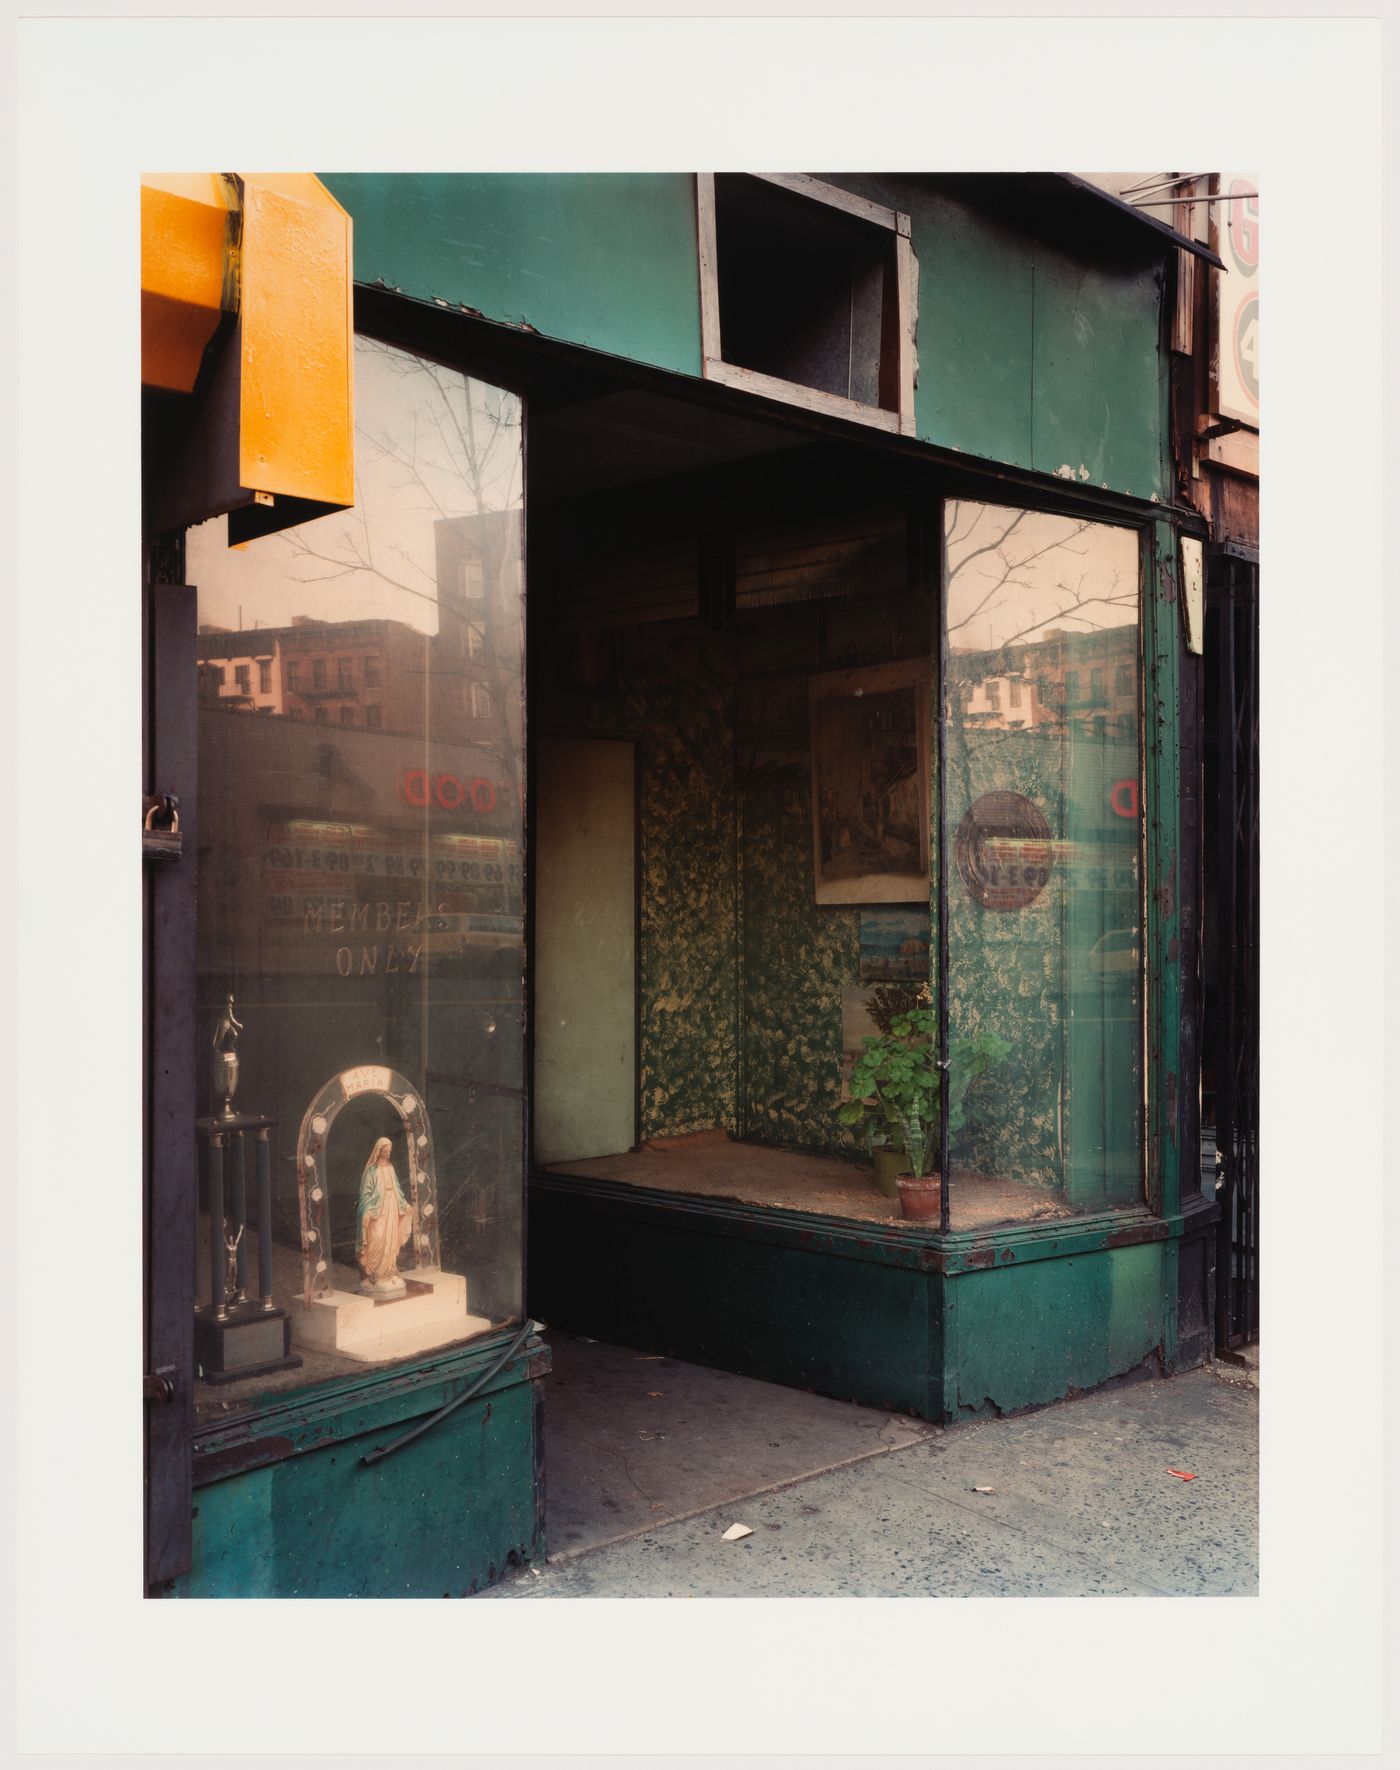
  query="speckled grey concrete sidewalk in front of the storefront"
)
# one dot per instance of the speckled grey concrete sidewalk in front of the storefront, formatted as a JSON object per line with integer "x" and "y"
{"x": 1081, "y": 1504}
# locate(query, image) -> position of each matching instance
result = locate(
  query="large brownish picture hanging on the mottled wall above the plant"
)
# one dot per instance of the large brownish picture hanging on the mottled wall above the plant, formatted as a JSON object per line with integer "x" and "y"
{"x": 872, "y": 783}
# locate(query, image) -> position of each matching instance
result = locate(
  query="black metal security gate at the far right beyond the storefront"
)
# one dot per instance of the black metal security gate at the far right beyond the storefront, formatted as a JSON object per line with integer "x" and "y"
{"x": 1231, "y": 944}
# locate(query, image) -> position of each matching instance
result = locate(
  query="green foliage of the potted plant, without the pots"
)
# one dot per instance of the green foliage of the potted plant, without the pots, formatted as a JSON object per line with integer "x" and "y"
{"x": 895, "y": 1084}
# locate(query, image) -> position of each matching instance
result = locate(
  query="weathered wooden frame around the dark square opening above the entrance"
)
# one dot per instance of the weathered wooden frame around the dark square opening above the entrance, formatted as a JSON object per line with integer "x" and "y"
{"x": 792, "y": 392}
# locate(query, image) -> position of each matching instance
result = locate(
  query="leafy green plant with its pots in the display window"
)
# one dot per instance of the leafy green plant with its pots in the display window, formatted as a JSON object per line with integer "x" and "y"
{"x": 895, "y": 1093}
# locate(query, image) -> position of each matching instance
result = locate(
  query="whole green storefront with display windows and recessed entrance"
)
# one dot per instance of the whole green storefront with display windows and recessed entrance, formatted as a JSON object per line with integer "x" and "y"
{"x": 758, "y": 627}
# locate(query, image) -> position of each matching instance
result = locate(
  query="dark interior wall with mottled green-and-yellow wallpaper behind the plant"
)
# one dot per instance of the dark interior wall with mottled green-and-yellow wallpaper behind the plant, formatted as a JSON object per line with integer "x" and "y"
{"x": 741, "y": 971}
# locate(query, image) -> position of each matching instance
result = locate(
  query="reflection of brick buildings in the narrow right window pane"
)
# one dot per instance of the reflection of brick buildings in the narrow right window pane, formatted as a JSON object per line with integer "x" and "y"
{"x": 1061, "y": 679}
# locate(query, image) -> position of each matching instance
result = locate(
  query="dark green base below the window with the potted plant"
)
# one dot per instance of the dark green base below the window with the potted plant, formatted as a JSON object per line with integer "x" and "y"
{"x": 829, "y": 1307}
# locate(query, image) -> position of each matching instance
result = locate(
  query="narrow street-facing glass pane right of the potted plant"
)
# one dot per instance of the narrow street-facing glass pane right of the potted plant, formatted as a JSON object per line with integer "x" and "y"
{"x": 1045, "y": 904}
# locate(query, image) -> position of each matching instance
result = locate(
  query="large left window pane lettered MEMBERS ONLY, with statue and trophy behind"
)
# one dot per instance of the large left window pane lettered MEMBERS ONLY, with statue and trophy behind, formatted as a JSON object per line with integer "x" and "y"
{"x": 360, "y": 920}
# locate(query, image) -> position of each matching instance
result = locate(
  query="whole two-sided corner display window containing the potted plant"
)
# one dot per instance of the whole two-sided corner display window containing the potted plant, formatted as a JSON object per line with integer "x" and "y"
{"x": 744, "y": 866}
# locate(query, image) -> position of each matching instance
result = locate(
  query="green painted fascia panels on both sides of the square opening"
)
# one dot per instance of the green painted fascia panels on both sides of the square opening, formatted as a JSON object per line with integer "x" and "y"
{"x": 1035, "y": 351}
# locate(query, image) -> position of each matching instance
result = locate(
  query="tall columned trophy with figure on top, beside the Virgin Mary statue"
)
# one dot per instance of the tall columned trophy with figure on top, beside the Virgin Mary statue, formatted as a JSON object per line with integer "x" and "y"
{"x": 238, "y": 1334}
